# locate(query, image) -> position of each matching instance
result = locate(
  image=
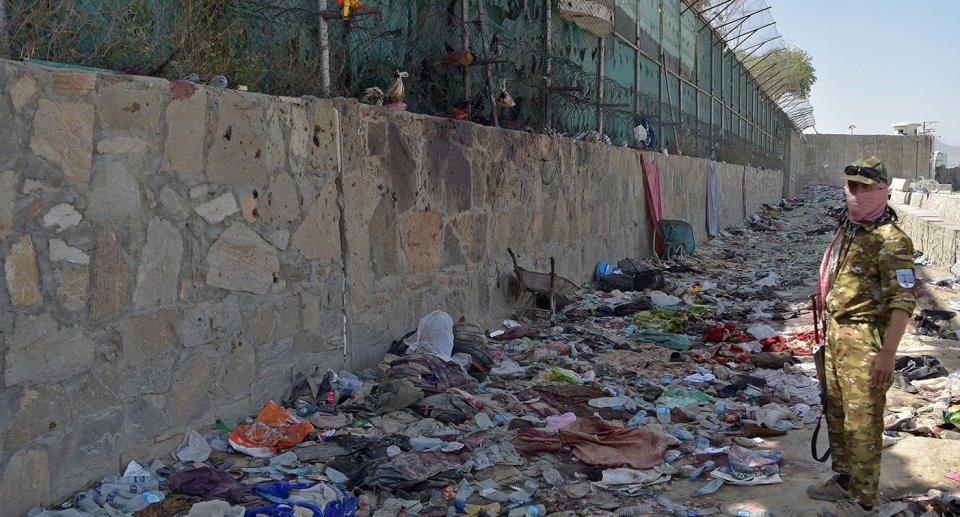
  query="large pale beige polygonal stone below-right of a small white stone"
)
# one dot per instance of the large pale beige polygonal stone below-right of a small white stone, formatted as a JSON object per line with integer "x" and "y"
{"x": 241, "y": 261}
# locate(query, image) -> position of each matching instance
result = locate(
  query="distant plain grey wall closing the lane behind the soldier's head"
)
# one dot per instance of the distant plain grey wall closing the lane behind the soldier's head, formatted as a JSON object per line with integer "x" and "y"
{"x": 823, "y": 157}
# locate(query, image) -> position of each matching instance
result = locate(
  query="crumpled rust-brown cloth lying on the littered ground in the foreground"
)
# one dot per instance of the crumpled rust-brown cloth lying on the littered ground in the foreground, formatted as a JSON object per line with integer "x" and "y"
{"x": 596, "y": 441}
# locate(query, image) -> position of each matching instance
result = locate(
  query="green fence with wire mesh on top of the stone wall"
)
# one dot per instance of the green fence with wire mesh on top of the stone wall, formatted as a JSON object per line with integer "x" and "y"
{"x": 662, "y": 62}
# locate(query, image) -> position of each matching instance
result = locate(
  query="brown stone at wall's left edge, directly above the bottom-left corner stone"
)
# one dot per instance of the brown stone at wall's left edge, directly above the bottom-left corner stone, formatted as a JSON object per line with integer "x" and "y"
{"x": 42, "y": 408}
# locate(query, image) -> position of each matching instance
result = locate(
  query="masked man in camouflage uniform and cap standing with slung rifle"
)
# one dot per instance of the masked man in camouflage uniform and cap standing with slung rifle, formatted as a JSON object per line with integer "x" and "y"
{"x": 871, "y": 297}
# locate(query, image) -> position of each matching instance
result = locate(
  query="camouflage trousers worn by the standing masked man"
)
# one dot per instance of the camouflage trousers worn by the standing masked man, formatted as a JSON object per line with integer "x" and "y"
{"x": 854, "y": 409}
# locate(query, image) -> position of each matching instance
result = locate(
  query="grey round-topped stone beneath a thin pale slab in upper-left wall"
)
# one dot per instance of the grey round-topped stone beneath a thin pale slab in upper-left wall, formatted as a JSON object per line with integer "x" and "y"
{"x": 114, "y": 196}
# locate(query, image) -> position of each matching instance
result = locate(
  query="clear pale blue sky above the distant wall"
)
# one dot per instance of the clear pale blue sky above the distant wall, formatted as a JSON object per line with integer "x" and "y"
{"x": 879, "y": 62}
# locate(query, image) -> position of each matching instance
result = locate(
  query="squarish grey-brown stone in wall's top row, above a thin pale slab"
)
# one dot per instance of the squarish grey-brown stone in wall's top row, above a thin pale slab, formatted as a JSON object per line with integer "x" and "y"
{"x": 129, "y": 106}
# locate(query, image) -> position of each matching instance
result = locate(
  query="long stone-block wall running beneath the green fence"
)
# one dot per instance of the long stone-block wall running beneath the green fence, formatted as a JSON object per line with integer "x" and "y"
{"x": 175, "y": 254}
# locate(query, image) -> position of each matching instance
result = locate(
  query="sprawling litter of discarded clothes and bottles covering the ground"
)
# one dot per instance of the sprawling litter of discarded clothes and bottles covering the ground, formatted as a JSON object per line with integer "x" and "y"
{"x": 666, "y": 374}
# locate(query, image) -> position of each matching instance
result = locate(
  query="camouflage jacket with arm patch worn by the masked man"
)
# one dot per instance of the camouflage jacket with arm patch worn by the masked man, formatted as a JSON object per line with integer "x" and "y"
{"x": 873, "y": 273}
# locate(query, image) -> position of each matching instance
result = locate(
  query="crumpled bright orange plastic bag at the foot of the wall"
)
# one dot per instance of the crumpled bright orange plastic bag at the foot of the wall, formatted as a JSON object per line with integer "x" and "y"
{"x": 273, "y": 429}
